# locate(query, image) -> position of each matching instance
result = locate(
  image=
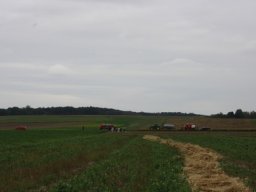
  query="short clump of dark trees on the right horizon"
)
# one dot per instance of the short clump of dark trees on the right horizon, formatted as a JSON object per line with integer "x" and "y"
{"x": 239, "y": 114}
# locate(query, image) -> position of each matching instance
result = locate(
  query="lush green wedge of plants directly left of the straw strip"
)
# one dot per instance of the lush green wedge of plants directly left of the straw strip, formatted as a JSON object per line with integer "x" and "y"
{"x": 138, "y": 166}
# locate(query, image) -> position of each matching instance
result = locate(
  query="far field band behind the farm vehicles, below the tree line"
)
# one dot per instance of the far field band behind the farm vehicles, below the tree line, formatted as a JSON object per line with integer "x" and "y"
{"x": 130, "y": 122}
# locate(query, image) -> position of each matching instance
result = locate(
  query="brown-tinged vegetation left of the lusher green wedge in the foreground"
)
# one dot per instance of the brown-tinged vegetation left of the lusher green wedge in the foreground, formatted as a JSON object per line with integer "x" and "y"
{"x": 27, "y": 163}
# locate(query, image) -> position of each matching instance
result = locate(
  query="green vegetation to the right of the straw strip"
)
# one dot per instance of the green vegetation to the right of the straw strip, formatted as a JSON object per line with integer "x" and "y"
{"x": 238, "y": 150}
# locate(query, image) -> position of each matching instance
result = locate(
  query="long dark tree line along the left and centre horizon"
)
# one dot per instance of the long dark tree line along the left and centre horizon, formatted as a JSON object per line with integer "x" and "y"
{"x": 79, "y": 111}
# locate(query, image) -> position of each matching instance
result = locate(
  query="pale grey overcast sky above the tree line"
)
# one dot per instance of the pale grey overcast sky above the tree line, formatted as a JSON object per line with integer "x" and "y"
{"x": 142, "y": 55}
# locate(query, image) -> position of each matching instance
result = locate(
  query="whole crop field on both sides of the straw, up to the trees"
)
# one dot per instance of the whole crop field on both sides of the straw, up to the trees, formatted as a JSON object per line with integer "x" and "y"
{"x": 56, "y": 154}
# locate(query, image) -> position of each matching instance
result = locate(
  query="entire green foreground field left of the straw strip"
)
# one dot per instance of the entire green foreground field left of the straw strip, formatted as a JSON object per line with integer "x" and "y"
{"x": 72, "y": 160}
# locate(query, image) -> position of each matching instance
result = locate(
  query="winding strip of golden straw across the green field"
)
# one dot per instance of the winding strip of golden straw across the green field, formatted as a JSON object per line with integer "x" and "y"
{"x": 202, "y": 168}
